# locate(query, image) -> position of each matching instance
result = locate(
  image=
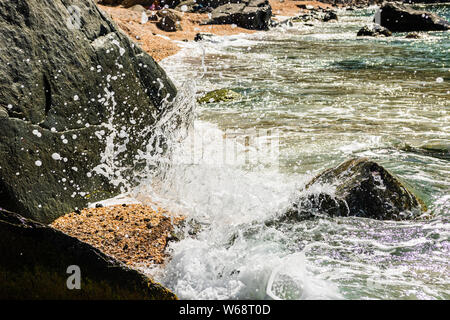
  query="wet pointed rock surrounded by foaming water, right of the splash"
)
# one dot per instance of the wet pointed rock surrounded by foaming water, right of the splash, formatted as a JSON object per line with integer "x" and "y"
{"x": 360, "y": 188}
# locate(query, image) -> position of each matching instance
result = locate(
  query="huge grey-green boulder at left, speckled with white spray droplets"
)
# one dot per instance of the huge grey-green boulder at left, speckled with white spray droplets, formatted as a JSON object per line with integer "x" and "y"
{"x": 70, "y": 81}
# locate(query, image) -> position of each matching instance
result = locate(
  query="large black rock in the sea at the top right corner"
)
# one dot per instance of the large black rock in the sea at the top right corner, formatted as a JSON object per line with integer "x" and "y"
{"x": 401, "y": 18}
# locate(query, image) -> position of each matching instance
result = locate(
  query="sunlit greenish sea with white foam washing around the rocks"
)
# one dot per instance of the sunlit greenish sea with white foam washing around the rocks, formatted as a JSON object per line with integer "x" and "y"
{"x": 324, "y": 96}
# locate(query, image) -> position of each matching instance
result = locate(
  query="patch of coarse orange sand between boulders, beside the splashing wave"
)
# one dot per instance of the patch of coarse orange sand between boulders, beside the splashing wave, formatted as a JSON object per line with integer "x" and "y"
{"x": 134, "y": 234}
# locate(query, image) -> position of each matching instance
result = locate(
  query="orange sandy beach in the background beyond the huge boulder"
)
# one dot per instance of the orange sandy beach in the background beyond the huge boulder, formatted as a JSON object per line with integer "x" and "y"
{"x": 161, "y": 44}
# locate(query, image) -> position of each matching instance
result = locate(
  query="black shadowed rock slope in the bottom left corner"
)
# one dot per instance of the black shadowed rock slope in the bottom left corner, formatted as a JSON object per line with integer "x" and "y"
{"x": 35, "y": 258}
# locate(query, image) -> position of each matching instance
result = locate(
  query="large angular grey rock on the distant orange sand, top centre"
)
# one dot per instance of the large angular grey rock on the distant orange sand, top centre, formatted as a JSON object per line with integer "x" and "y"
{"x": 249, "y": 14}
